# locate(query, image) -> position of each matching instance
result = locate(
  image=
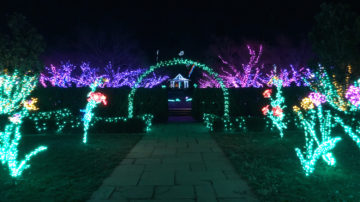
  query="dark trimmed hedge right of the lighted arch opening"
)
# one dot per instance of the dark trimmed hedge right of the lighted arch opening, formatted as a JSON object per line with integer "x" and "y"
{"x": 243, "y": 101}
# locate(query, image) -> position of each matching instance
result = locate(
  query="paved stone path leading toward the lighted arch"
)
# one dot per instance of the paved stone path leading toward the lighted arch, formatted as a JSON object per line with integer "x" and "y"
{"x": 176, "y": 162}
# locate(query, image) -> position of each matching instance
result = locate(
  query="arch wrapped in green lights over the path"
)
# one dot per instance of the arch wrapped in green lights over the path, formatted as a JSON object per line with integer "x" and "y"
{"x": 180, "y": 61}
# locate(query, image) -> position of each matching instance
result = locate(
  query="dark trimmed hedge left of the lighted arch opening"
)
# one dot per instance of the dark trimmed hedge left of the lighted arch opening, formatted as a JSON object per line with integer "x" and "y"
{"x": 146, "y": 101}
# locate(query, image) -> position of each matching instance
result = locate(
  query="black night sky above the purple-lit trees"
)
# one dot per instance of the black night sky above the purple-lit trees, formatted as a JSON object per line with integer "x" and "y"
{"x": 171, "y": 25}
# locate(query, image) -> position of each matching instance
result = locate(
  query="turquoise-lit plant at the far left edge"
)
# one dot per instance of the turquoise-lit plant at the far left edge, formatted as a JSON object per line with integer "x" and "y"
{"x": 14, "y": 90}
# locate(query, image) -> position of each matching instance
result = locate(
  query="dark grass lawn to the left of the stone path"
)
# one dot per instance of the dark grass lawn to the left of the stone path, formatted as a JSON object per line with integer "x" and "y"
{"x": 68, "y": 170}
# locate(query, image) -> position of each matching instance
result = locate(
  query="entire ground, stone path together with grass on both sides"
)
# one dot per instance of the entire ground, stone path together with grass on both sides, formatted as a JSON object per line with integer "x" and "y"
{"x": 181, "y": 162}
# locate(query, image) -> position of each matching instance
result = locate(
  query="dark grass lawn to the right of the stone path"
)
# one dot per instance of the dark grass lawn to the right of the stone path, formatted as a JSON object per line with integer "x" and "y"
{"x": 273, "y": 171}
